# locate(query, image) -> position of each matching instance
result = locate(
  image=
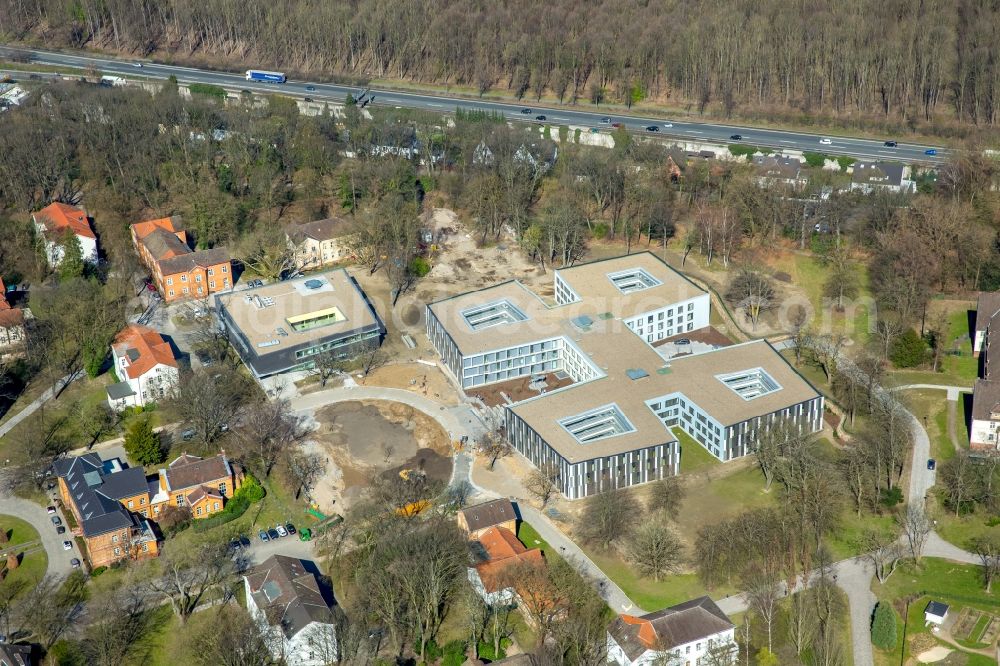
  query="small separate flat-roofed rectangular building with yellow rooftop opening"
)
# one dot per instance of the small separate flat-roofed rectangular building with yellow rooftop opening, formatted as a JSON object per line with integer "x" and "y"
{"x": 280, "y": 327}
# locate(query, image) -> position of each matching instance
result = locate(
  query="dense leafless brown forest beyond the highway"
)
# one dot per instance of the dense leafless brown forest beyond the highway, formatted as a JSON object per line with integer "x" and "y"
{"x": 910, "y": 62}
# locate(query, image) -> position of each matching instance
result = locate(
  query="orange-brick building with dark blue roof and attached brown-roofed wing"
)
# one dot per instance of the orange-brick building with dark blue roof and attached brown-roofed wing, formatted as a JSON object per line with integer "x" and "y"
{"x": 114, "y": 506}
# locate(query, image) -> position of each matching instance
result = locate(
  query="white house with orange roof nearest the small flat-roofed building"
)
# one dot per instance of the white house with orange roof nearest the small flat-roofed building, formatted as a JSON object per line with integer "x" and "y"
{"x": 145, "y": 363}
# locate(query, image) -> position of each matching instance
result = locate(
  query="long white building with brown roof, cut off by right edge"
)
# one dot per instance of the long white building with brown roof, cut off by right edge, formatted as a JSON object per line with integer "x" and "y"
{"x": 984, "y": 430}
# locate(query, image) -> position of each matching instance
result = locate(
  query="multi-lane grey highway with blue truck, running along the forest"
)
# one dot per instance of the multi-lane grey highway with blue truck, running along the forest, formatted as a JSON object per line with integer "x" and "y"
{"x": 683, "y": 130}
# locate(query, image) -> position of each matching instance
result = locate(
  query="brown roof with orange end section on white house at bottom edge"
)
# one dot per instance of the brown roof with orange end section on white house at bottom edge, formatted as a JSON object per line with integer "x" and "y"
{"x": 666, "y": 629}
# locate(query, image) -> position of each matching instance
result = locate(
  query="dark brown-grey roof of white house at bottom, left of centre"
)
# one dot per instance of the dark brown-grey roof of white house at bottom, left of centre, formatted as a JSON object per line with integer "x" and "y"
{"x": 289, "y": 594}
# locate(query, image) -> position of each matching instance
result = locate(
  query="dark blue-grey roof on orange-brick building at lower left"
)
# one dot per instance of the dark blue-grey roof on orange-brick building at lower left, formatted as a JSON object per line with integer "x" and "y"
{"x": 85, "y": 477}
